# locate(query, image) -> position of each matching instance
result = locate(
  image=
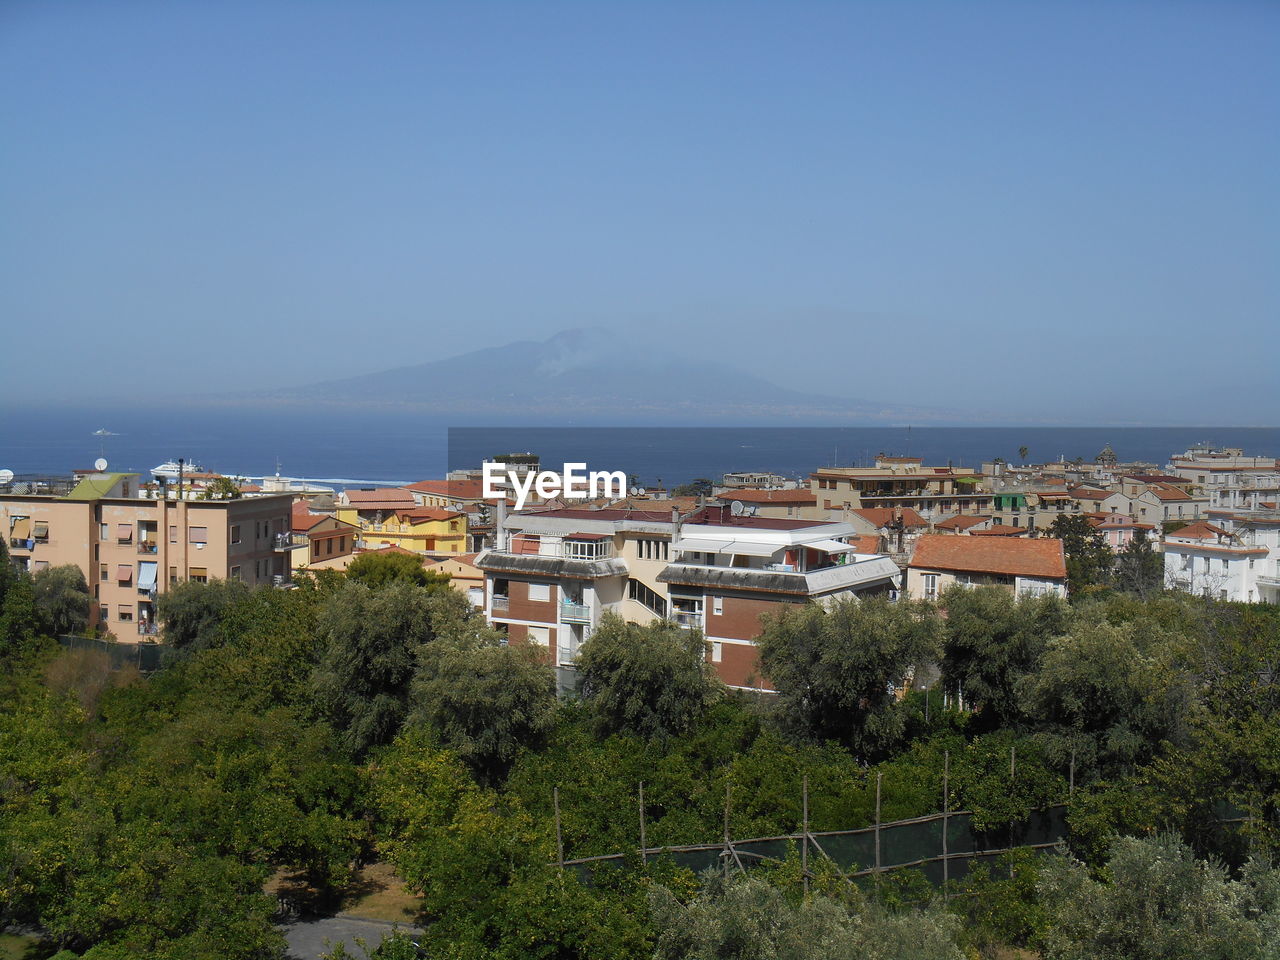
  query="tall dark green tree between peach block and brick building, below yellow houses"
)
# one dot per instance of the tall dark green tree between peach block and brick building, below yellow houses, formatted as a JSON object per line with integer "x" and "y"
{"x": 371, "y": 642}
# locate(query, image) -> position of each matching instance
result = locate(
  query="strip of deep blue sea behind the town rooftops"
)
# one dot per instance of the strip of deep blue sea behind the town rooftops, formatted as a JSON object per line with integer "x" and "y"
{"x": 392, "y": 447}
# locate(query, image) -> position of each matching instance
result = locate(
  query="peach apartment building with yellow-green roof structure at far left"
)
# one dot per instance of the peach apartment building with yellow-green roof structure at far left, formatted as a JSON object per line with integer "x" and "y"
{"x": 134, "y": 548}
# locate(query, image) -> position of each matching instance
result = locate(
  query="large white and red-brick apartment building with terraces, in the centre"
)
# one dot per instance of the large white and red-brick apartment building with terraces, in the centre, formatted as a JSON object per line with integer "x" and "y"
{"x": 556, "y": 574}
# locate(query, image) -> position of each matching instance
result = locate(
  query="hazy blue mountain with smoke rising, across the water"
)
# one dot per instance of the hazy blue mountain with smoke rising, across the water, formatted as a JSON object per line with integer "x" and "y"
{"x": 580, "y": 376}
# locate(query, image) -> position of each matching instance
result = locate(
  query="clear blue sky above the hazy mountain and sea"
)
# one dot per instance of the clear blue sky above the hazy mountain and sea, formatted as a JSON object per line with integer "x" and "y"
{"x": 1059, "y": 211}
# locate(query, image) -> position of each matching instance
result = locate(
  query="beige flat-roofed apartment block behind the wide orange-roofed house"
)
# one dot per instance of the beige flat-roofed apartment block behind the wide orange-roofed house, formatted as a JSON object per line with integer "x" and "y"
{"x": 900, "y": 483}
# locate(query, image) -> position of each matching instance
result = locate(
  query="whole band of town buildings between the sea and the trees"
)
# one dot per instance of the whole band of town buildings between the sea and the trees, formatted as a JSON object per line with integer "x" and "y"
{"x": 716, "y": 556}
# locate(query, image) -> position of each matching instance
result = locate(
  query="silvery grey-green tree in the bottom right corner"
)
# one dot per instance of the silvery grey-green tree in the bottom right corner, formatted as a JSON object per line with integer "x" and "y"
{"x": 1160, "y": 904}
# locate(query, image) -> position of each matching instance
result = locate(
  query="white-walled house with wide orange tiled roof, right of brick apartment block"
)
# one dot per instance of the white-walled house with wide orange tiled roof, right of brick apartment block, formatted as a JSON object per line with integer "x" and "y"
{"x": 1023, "y": 566}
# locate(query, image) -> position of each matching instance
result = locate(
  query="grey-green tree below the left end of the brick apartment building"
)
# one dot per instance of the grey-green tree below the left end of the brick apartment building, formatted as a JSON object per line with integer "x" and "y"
{"x": 486, "y": 703}
